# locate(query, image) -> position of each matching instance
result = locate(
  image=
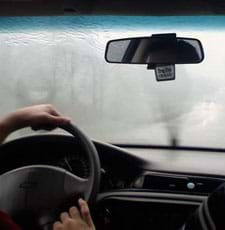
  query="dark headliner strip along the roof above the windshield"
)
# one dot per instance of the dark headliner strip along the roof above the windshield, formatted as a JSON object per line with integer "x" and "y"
{"x": 107, "y": 7}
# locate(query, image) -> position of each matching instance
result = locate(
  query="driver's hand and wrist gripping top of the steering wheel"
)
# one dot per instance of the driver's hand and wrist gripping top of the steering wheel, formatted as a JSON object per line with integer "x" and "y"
{"x": 37, "y": 117}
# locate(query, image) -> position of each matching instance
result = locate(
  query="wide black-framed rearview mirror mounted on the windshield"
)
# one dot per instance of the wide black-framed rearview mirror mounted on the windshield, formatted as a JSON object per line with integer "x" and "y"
{"x": 154, "y": 50}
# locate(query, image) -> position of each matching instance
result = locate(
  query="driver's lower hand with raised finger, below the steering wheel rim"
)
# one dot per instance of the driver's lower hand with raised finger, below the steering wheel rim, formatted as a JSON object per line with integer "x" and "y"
{"x": 75, "y": 219}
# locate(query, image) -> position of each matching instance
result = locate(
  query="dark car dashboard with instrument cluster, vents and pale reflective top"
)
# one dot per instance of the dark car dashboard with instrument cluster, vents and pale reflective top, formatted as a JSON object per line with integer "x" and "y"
{"x": 140, "y": 188}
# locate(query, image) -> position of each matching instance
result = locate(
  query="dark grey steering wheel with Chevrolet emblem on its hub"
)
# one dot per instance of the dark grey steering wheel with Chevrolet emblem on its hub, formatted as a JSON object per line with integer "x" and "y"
{"x": 41, "y": 189}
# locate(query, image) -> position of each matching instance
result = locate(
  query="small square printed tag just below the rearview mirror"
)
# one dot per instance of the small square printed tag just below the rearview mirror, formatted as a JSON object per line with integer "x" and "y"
{"x": 165, "y": 72}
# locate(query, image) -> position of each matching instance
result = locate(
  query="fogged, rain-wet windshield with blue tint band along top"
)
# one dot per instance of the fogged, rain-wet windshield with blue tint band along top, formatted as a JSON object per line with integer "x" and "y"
{"x": 60, "y": 60}
